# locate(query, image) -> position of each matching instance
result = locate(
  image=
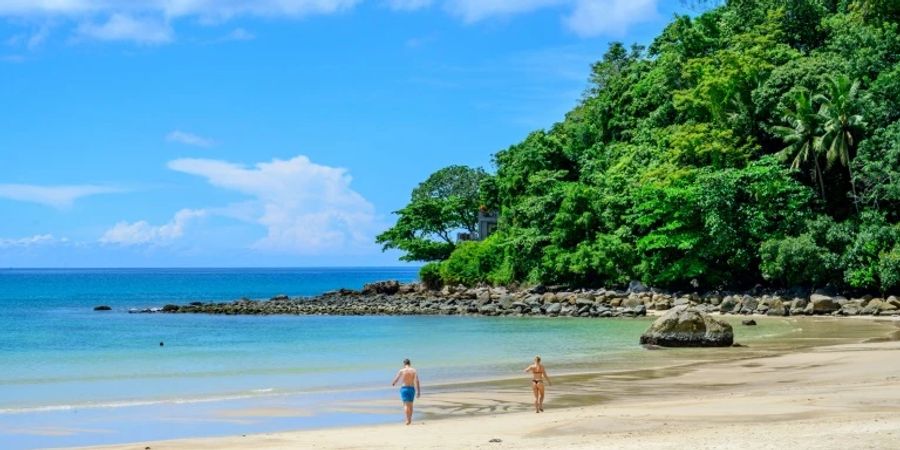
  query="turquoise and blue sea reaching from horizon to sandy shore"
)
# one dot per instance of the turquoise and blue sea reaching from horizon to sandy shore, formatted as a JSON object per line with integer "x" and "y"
{"x": 72, "y": 376}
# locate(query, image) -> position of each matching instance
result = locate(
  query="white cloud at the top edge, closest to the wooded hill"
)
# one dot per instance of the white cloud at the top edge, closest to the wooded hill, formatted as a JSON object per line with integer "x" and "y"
{"x": 610, "y": 17}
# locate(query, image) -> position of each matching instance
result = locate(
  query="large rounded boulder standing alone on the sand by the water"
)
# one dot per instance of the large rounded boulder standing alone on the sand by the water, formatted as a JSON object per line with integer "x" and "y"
{"x": 684, "y": 326}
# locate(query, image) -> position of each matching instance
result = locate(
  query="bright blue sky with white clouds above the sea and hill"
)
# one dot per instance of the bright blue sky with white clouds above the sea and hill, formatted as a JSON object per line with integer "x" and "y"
{"x": 178, "y": 133}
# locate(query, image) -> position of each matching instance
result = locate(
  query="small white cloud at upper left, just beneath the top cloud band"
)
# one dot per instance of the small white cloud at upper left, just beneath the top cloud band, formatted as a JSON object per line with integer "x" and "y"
{"x": 123, "y": 27}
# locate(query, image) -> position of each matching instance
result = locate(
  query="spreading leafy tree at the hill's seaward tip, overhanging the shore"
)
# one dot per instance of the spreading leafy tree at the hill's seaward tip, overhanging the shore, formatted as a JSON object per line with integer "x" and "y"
{"x": 444, "y": 203}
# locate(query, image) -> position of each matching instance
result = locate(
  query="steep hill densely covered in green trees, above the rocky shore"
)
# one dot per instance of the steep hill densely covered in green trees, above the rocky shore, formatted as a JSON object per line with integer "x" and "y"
{"x": 757, "y": 144}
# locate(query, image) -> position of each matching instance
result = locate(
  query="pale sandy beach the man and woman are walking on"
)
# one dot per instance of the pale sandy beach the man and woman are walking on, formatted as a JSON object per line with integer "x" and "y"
{"x": 837, "y": 396}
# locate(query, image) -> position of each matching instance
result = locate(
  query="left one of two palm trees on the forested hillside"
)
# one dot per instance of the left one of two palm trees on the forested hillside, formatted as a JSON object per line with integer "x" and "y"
{"x": 802, "y": 136}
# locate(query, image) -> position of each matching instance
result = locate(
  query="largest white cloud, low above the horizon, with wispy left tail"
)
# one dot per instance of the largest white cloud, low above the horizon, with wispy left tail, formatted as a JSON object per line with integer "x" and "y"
{"x": 306, "y": 208}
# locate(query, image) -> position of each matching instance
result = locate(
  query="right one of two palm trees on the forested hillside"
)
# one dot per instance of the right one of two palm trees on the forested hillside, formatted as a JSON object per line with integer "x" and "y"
{"x": 839, "y": 114}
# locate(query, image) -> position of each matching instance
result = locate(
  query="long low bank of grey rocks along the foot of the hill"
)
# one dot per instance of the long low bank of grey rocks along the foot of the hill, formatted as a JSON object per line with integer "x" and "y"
{"x": 394, "y": 298}
